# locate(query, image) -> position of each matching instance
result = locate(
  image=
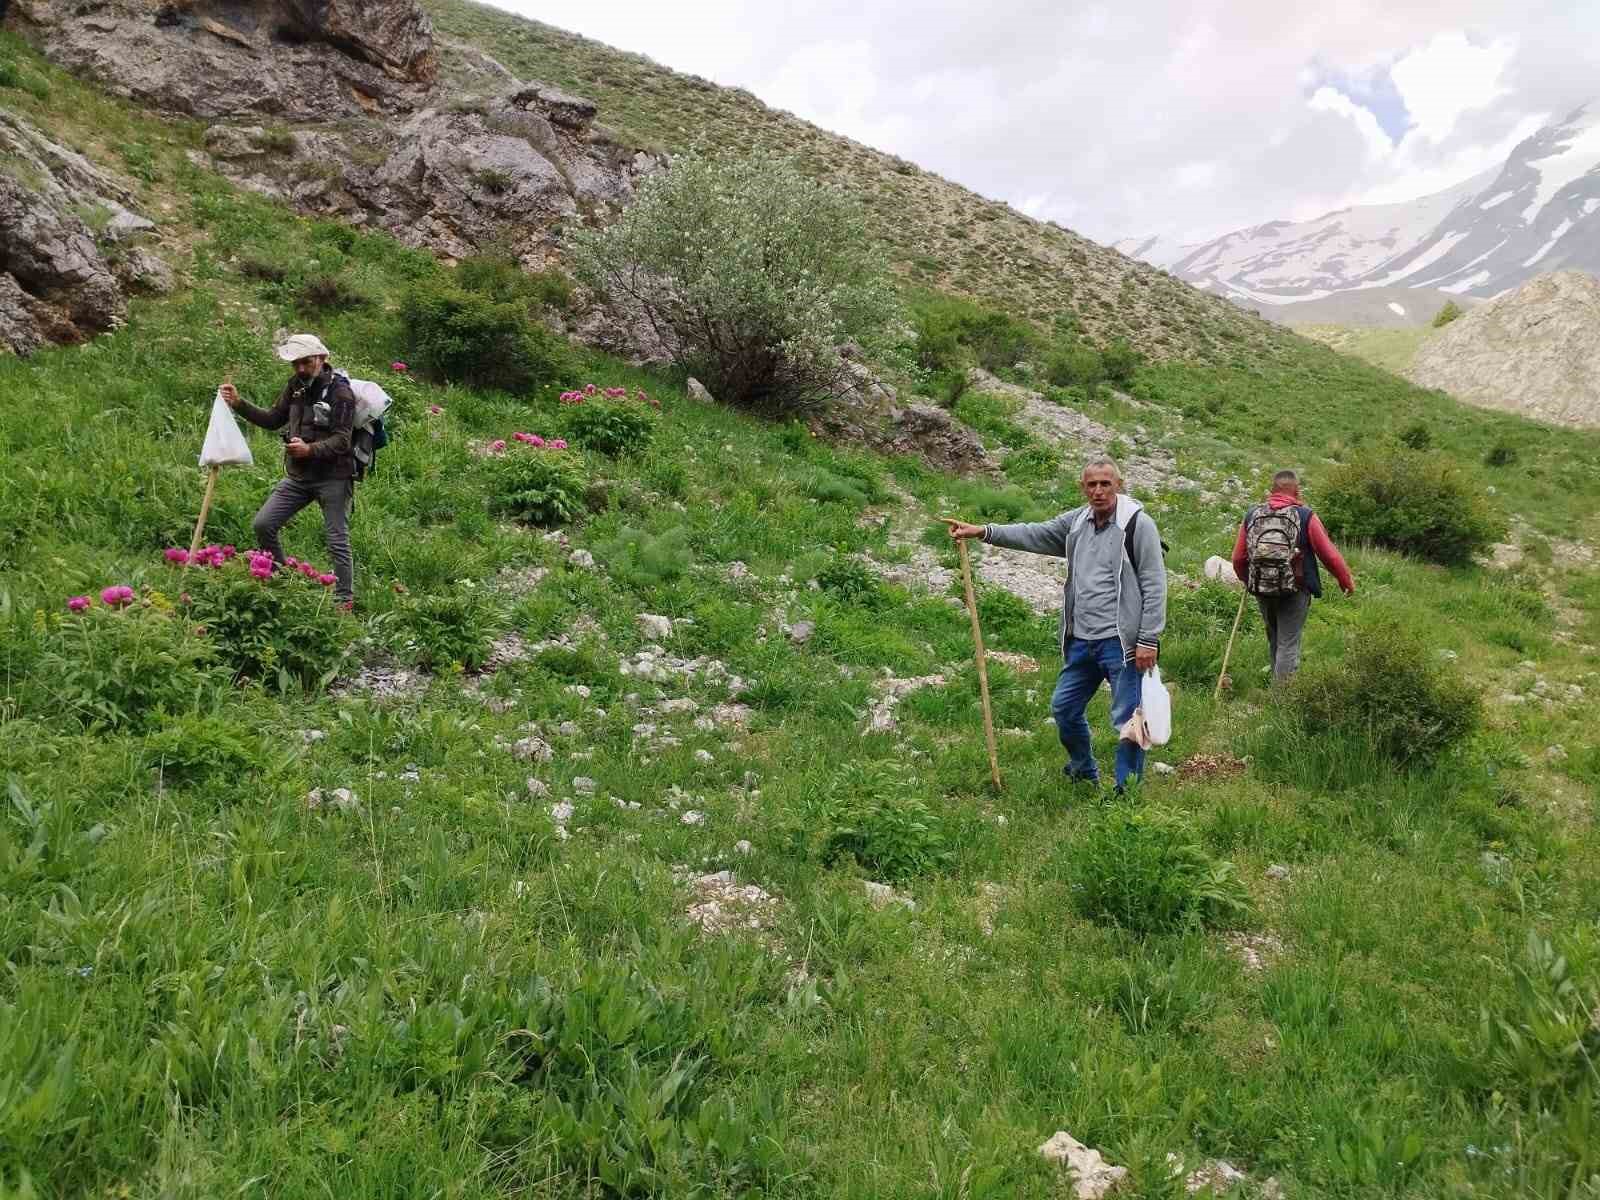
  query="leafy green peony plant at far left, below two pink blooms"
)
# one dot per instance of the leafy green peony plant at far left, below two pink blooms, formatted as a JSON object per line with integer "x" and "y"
{"x": 126, "y": 670}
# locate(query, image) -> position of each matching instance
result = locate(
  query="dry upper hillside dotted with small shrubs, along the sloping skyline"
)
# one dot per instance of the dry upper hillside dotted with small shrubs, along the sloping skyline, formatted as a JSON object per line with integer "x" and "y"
{"x": 940, "y": 234}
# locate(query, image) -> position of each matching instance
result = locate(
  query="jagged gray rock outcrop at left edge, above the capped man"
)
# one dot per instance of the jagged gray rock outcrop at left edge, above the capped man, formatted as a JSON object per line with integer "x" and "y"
{"x": 62, "y": 281}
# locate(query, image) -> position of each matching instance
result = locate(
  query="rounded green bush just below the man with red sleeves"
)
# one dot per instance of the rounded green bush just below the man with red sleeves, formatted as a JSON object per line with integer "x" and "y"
{"x": 1394, "y": 694}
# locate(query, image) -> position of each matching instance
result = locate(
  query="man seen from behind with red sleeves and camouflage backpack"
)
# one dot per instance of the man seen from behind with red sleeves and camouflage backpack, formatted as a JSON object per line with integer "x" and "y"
{"x": 1276, "y": 554}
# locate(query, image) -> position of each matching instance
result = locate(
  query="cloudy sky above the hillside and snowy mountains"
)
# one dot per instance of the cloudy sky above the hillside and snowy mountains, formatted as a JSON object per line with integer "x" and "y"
{"x": 1180, "y": 118}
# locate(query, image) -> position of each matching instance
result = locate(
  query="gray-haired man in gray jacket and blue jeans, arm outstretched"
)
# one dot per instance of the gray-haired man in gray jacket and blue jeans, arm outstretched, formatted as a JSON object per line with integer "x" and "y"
{"x": 1113, "y": 609}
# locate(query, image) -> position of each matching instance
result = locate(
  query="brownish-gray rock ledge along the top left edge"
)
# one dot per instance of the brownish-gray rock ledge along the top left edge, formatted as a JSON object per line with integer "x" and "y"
{"x": 298, "y": 60}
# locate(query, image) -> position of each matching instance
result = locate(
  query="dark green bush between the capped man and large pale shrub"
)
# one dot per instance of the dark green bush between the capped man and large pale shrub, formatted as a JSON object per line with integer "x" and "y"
{"x": 470, "y": 338}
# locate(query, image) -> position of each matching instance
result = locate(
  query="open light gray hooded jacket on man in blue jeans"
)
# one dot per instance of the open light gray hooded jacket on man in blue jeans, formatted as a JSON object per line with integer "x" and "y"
{"x": 1142, "y": 596}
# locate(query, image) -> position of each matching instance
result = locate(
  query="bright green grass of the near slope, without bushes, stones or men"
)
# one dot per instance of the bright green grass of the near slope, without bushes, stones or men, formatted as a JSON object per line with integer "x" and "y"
{"x": 175, "y": 993}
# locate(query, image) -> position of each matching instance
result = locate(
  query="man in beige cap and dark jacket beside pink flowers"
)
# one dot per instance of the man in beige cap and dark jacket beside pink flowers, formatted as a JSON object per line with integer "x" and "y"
{"x": 318, "y": 409}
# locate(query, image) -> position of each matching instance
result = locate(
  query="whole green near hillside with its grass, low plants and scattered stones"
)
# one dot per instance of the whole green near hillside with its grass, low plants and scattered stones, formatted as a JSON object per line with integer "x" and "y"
{"x": 428, "y": 900}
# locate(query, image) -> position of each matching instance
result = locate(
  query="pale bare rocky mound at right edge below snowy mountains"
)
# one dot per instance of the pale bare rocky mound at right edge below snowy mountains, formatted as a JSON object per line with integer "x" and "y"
{"x": 1535, "y": 351}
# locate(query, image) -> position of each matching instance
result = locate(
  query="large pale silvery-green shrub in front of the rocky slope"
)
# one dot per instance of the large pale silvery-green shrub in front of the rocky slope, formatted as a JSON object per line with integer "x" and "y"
{"x": 754, "y": 270}
